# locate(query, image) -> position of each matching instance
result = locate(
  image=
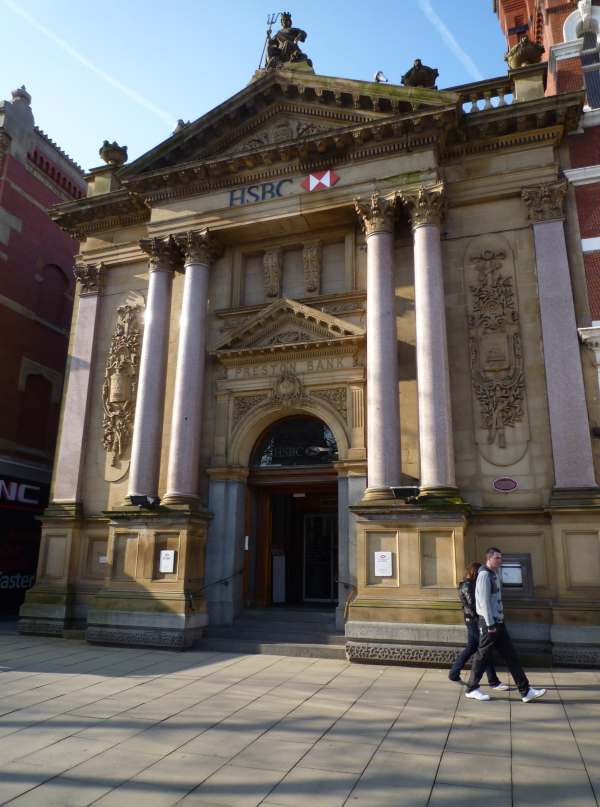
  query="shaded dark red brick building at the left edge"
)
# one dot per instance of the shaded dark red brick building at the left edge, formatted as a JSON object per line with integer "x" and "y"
{"x": 36, "y": 295}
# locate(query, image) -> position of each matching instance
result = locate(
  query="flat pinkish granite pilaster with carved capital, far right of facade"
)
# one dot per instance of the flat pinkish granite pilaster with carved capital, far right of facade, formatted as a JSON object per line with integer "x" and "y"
{"x": 569, "y": 422}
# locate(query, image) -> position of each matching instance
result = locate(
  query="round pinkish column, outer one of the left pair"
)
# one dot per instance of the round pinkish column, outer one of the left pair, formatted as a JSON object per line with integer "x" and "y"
{"x": 147, "y": 427}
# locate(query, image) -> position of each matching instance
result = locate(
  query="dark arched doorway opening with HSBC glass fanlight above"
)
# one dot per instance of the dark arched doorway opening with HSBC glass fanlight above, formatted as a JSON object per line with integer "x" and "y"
{"x": 292, "y": 516}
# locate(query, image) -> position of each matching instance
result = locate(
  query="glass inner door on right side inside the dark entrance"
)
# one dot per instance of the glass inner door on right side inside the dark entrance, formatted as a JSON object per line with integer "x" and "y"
{"x": 320, "y": 557}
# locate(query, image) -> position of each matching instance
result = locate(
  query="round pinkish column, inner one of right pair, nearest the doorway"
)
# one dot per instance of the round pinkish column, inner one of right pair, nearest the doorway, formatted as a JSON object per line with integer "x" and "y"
{"x": 383, "y": 412}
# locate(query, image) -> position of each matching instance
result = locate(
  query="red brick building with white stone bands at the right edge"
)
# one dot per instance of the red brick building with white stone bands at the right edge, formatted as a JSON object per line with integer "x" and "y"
{"x": 569, "y": 31}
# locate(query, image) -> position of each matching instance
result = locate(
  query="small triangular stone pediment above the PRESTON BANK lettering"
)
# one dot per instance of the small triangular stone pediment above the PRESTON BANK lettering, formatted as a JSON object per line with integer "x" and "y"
{"x": 288, "y": 325}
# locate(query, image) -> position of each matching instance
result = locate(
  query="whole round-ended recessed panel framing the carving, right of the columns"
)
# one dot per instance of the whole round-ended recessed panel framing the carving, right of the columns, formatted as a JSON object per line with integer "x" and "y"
{"x": 495, "y": 348}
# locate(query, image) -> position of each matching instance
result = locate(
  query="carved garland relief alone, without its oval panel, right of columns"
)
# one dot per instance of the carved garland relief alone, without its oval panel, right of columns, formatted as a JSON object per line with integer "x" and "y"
{"x": 495, "y": 347}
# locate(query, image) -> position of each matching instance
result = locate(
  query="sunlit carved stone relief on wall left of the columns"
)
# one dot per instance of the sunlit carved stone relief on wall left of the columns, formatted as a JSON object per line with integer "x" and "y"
{"x": 120, "y": 382}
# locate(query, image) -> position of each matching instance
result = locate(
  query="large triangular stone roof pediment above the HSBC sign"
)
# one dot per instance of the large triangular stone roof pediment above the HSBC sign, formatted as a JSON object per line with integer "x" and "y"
{"x": 285, "y": 106}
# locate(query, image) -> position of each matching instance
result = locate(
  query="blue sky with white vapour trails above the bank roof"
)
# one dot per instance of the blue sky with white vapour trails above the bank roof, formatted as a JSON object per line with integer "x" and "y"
{"x": 126, "y": 70}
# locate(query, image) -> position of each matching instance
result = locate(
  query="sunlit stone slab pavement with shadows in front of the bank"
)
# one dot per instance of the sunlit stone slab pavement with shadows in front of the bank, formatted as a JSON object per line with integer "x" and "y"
{"x": 83, "y": 724}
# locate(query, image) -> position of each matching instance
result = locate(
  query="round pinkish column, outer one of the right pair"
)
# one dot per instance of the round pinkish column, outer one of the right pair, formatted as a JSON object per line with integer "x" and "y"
{"x": 433, "y": 378}
